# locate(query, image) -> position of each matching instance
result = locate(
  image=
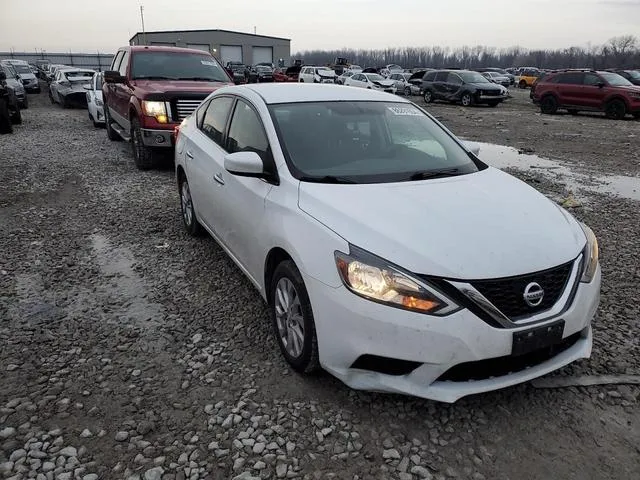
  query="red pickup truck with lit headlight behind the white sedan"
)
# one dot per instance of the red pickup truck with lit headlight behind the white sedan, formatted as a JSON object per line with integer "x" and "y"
{"x": 149, "y": 90}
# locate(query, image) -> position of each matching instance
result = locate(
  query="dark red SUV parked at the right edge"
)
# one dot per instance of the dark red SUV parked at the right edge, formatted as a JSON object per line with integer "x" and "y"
{"x": 577, "y": 90}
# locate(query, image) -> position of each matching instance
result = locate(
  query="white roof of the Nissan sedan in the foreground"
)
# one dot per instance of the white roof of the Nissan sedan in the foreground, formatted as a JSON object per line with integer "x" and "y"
{"x": 272, "y": 93}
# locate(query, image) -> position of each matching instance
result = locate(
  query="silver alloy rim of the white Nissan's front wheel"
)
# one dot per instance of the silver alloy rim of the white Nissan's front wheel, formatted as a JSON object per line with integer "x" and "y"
{"x": 289, "y": 317}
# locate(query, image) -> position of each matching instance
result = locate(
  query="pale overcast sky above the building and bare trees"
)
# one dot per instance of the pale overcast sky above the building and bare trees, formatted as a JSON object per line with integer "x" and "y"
{"x": 90, "y": 25}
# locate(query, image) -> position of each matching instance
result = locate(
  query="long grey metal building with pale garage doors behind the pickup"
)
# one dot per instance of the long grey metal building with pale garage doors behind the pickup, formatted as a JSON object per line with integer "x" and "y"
{"x": 226, "y": 45}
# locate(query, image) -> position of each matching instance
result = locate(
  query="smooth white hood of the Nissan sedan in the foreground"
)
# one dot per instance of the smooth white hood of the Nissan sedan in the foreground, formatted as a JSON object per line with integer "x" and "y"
{"x": 477, "y": 226}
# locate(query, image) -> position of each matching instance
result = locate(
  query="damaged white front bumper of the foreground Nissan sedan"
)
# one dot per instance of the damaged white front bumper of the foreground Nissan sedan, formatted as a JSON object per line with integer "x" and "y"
{"x": 349, "y": 327}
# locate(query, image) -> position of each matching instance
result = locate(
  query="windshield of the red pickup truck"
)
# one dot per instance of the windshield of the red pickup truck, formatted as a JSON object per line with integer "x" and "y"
{"x": 177, "y": 66}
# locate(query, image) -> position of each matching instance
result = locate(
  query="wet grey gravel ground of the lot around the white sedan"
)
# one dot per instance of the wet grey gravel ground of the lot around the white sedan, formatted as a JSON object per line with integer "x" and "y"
{"x": 130, "y": 350}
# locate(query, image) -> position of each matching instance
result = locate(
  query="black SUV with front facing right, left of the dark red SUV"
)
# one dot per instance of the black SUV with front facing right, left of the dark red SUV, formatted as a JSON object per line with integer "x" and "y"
{"x": 462, "y": 86}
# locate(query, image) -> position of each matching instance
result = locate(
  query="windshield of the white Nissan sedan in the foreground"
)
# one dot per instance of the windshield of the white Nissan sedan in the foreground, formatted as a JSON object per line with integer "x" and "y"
{"x": 365, "y": 142}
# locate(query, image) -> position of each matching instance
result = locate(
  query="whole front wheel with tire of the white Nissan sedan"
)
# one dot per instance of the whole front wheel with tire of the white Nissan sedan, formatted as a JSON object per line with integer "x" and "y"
{"x": 292, "y": 318}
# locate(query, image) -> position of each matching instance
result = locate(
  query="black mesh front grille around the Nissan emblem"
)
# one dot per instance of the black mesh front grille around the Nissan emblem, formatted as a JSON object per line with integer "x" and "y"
{"x": 507, "y": 294}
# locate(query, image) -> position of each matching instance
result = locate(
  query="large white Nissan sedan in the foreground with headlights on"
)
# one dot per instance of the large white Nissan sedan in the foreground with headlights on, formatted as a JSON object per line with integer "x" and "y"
{"x": 387, "y": 252}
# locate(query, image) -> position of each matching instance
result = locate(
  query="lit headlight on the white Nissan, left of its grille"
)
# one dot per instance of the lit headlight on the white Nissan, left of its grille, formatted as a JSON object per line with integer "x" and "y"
{"x": 380, "y": 281}
